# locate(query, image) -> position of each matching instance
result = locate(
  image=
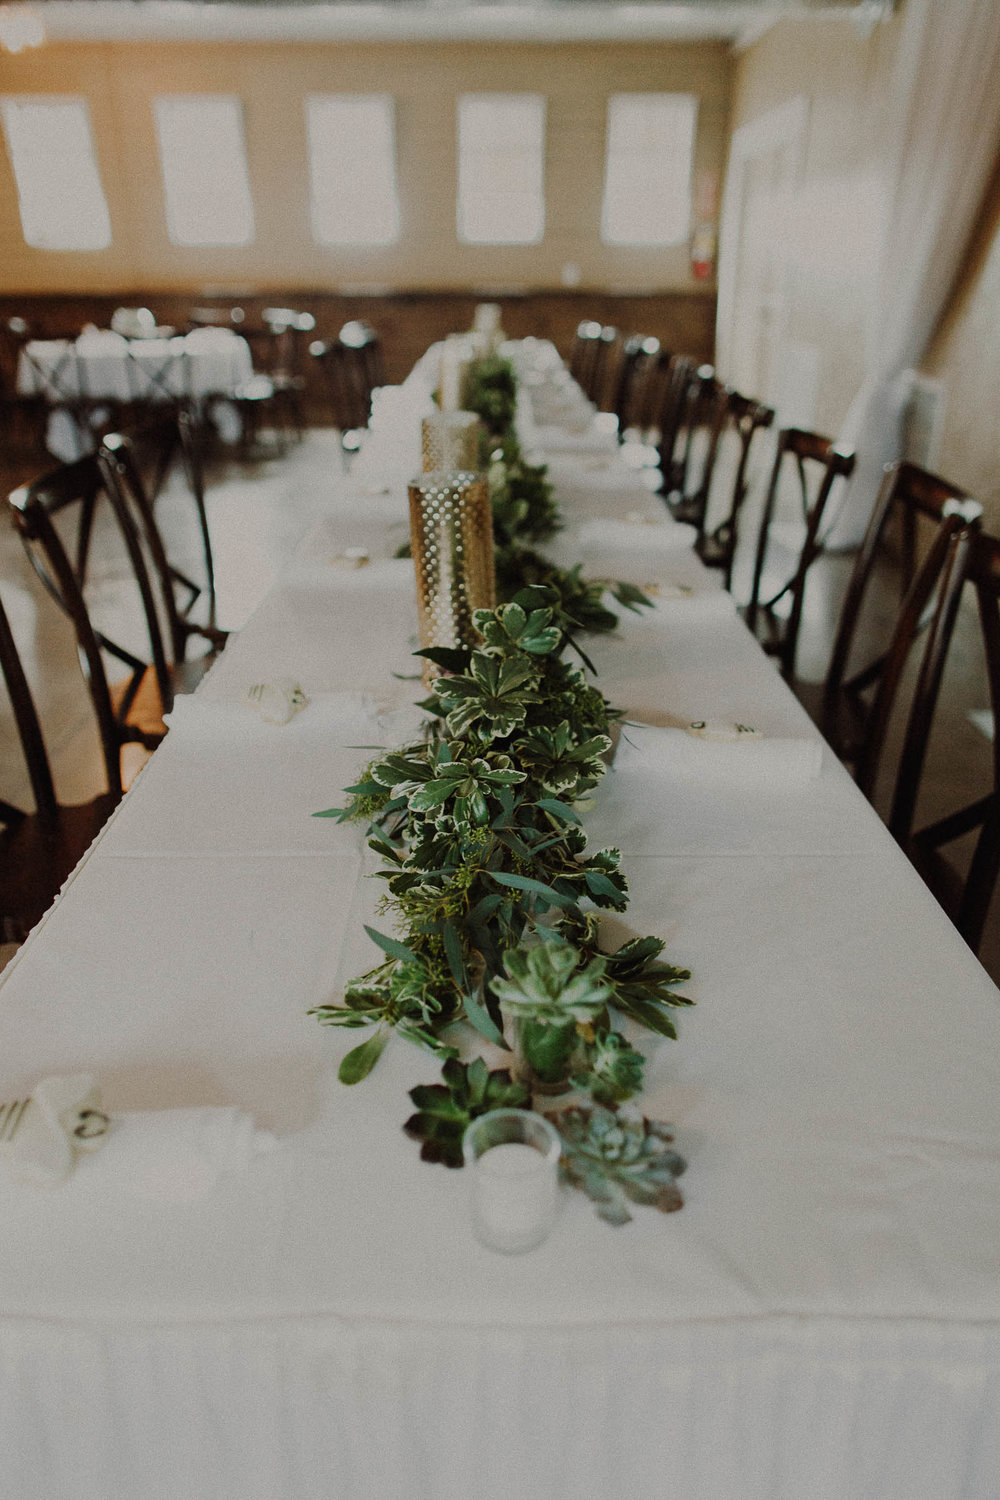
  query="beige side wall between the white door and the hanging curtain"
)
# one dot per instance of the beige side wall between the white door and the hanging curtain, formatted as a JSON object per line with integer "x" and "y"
{"x": 833, "y": 235}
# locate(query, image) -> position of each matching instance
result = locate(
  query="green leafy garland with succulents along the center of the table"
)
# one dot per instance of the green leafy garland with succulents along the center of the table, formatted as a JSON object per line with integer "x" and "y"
{"x": 488, "y": 872}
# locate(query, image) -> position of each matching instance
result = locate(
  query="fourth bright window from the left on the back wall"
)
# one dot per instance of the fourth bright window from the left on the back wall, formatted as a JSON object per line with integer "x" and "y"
{"x": 501, "y": 143}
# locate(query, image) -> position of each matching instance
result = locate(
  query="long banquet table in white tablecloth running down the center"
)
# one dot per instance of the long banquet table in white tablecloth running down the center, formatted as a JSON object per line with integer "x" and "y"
{"x": 822, "y": 1319}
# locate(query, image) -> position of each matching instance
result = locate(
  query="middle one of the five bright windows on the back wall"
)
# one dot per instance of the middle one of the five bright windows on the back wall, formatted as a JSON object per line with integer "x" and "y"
{"x": 353, "y": 191}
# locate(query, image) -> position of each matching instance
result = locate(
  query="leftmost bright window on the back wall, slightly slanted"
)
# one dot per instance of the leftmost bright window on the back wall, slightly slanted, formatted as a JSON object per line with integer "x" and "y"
{"x": 59, "y": 187}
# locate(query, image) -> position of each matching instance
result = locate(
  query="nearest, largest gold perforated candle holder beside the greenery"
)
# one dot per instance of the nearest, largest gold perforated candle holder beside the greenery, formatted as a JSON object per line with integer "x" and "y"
{"x": 452, "y": 535}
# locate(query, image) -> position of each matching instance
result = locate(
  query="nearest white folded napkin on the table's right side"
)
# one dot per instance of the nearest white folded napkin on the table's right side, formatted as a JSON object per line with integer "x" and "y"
{"x": 734, "y": 754}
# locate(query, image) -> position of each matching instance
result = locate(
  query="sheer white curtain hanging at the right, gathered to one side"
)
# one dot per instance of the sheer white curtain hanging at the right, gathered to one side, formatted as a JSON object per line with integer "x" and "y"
{"x": 947, "y": 89}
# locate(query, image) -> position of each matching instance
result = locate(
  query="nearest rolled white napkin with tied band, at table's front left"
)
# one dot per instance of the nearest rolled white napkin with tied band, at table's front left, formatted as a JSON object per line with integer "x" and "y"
{"x": 176, "y": 1156}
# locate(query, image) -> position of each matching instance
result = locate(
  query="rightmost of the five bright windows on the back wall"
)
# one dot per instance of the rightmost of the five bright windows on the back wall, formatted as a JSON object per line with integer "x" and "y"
{"x": 648, "y": 169}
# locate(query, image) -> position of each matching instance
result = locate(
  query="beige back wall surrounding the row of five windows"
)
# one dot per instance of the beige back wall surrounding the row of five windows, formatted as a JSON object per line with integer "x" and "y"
{"x": 425, "y": 79}
